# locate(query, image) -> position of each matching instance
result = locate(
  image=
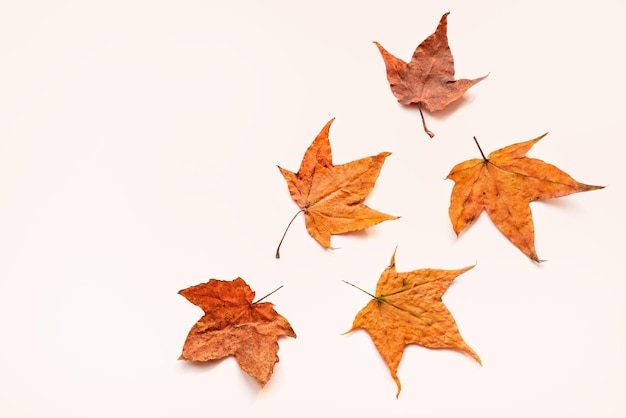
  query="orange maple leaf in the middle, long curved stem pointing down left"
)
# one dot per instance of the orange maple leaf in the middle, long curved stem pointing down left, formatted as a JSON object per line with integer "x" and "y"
{"x": 331, "y": 196}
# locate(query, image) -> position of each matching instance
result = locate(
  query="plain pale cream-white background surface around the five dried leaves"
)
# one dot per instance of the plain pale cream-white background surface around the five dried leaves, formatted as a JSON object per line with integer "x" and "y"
{"x": 138, "y": 150}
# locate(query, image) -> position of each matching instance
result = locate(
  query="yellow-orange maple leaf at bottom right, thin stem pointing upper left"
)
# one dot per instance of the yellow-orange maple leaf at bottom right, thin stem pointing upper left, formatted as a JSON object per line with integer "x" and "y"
{"x": 407, "y": 309}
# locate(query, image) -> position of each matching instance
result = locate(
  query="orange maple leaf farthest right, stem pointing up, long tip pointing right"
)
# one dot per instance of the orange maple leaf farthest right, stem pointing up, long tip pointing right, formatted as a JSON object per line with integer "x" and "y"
{"x": 503, "y": 184}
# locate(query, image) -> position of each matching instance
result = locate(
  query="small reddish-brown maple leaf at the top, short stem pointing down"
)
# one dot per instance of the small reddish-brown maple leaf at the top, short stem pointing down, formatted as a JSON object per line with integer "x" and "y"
{"x": 428, "y": 79}
